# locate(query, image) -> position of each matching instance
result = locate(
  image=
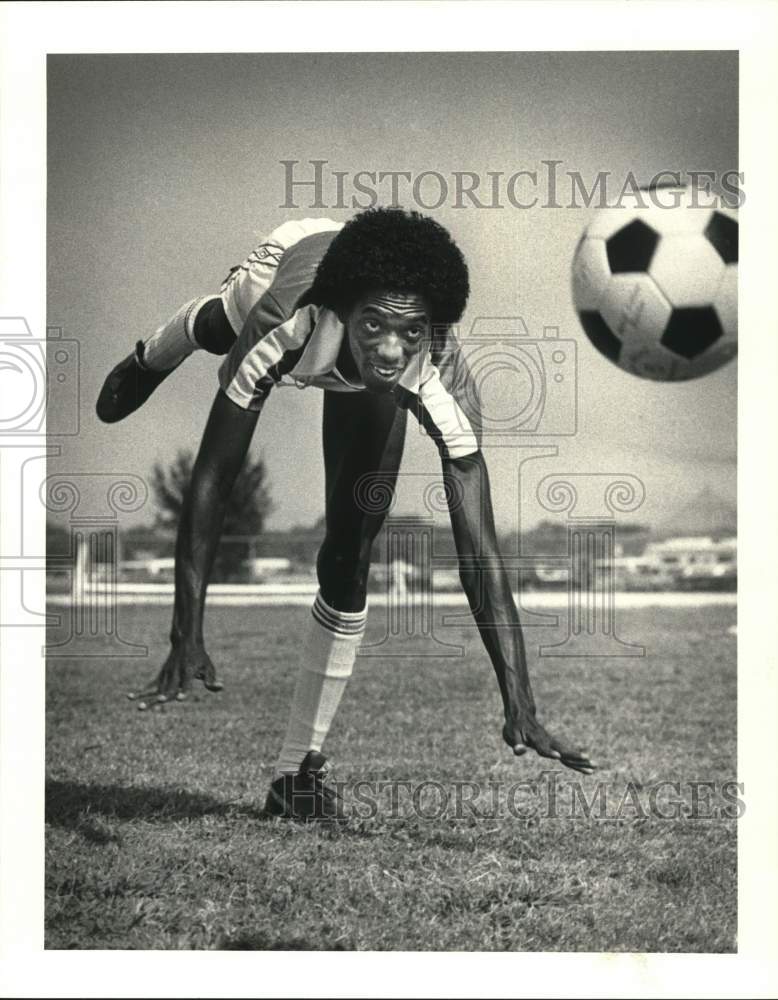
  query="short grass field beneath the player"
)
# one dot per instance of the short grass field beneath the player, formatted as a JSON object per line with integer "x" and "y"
{"x": 154, "y": 840}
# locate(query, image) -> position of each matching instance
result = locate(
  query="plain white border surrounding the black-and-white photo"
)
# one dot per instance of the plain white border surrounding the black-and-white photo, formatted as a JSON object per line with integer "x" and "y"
{"x": 28, "y": 32}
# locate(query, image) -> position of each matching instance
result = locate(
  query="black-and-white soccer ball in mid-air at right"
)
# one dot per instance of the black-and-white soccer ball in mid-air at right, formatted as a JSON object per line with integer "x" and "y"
{"x": 655, "y": 284}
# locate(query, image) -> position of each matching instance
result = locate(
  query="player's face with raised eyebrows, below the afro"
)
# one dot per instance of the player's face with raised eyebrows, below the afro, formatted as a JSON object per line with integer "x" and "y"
{"x": 385, "y": 331}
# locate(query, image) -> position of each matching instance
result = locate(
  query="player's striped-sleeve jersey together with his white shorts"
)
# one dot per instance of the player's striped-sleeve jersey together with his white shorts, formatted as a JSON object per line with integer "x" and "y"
{"x": 285, "y": 339}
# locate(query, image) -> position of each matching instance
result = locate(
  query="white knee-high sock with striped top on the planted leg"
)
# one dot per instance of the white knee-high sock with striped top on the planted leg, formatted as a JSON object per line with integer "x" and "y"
{"x": 327, "y": 659}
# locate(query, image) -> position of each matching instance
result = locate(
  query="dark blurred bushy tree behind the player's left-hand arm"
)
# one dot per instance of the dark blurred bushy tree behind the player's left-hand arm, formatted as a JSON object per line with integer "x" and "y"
{"x": 247, "y": 509}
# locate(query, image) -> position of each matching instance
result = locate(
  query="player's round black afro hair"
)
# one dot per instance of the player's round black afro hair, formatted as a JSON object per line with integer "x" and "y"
{"x": 393, "y": 250}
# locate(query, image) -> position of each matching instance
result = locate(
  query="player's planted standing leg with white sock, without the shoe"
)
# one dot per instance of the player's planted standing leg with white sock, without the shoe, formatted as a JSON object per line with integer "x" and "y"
{"x": 362, "y": 434}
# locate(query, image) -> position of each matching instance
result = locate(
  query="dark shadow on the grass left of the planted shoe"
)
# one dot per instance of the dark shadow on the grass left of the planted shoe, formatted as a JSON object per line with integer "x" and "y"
{"x": 68, "y": 803}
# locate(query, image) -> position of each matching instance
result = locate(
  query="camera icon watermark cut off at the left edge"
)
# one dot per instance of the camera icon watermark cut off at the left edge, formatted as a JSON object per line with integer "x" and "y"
{"x": 33, "y": 370}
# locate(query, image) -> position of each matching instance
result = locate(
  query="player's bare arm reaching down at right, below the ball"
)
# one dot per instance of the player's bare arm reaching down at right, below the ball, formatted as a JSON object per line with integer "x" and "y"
{"x": 488, "y": 591}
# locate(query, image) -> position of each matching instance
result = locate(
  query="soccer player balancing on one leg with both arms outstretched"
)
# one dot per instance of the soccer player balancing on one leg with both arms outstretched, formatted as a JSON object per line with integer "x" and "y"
{"x": 363, "y": 311}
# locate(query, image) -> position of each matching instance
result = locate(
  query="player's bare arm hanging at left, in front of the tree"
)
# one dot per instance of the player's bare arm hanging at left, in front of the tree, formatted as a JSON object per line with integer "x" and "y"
{"x": 222, "y": 452}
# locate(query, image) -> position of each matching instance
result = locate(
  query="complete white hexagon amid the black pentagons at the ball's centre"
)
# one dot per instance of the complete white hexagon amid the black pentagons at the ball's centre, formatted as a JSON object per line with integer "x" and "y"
{"x": 687, "y": 269}
